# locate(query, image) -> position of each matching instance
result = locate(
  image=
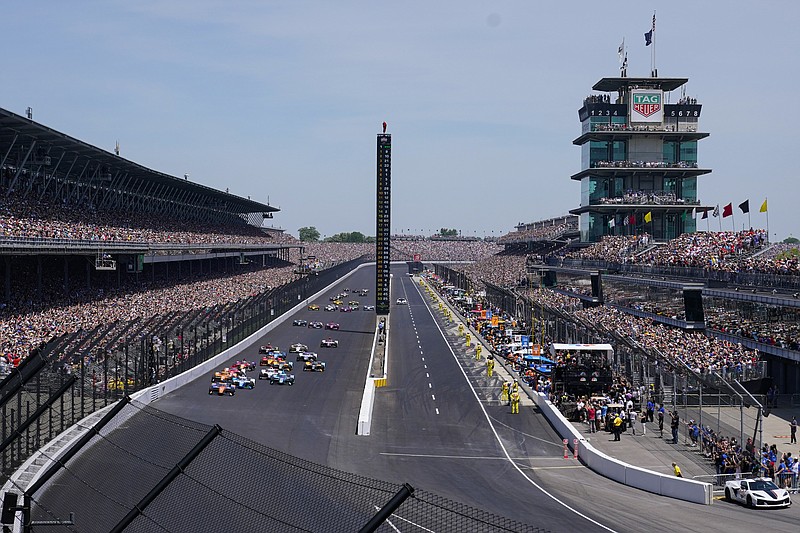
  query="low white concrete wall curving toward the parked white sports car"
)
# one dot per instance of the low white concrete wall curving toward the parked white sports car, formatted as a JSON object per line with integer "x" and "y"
{"x": 633, "y": 476}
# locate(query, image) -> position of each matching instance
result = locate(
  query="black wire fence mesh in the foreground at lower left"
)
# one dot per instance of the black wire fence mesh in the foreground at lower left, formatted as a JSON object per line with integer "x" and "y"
{"x": 233, "y": 484}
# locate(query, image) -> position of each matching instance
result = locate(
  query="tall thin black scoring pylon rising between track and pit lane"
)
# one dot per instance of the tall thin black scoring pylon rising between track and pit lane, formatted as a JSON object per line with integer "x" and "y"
{"x": 382, "y": 222}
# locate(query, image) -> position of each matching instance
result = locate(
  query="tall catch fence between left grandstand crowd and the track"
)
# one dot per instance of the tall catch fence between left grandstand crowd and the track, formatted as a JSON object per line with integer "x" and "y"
{"x": 70, "y": 377}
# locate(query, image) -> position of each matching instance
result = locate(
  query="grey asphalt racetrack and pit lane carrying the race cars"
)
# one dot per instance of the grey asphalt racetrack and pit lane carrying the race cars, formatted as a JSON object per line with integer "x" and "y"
{"x": 438, "y": 426}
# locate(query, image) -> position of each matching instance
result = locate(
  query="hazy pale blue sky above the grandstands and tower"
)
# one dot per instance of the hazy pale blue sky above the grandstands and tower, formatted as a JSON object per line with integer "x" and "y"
{"x": 281, "y": 100}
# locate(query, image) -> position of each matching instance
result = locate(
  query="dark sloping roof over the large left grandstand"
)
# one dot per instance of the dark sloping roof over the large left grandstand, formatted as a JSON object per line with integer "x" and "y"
{"x": 18, "y": 129}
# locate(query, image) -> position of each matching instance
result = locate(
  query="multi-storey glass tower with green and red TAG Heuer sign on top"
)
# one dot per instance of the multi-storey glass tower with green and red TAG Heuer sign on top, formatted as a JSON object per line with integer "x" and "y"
{"x": 638, "y": 159}
